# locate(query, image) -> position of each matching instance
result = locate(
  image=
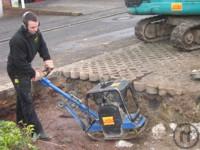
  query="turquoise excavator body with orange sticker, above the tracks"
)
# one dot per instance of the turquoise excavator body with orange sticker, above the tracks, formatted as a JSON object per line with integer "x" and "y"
{"x": 163, "y": 7}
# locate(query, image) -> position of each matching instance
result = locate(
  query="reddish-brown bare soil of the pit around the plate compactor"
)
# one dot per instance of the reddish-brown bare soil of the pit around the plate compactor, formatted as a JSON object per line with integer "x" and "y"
{"x": 67, "y": 135}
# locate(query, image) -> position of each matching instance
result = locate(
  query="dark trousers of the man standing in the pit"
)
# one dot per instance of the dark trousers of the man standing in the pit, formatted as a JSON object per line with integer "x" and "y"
{"x": 24, "y": 106}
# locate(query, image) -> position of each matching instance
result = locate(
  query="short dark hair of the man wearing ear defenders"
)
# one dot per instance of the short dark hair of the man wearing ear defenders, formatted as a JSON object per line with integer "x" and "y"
{"x": 29, "y": 16}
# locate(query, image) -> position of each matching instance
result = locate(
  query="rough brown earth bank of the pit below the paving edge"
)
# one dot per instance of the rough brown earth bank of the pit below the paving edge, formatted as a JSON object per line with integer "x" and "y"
{"x": 157, "y": 109}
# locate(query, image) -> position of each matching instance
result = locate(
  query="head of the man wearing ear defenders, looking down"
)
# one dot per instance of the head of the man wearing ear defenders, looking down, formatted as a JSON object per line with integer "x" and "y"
{"x": 31, "y": 22}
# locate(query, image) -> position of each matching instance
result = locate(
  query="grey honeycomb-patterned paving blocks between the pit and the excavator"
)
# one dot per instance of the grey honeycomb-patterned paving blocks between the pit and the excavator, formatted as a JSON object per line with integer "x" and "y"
{"x": 156, "y": 68}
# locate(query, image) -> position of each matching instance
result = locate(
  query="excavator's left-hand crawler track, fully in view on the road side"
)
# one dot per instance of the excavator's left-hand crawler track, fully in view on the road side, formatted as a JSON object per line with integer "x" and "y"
{"x": 153, "y": 29}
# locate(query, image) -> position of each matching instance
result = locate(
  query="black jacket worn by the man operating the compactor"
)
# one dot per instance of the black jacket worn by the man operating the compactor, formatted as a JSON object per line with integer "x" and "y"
{"x": 23, "y": 48}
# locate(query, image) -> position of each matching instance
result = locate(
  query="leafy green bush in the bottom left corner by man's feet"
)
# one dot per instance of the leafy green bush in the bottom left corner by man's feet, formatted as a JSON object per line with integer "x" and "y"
{"x": 14, "y": 138}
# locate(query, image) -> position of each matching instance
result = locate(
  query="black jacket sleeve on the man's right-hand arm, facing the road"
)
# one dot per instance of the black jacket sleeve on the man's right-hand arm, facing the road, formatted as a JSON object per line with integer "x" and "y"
{"x": 43, "y": 50}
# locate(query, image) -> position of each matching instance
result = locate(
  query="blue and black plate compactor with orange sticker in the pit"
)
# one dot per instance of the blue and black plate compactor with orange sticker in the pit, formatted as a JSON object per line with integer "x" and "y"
{"x": 110, "y": 110}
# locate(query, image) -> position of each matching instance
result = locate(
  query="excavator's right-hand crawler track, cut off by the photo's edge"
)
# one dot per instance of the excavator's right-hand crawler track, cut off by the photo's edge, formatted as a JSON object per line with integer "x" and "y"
{"x": 186, "y": 36}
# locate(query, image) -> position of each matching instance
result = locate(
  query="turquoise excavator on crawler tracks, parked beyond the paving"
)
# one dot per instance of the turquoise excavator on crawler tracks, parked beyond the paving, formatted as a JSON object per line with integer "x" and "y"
{"x": 177, "y": 20}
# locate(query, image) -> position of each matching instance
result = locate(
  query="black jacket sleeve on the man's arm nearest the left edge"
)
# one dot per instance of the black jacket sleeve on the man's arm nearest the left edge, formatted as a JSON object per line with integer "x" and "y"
{"x": 19, "y": 57}
